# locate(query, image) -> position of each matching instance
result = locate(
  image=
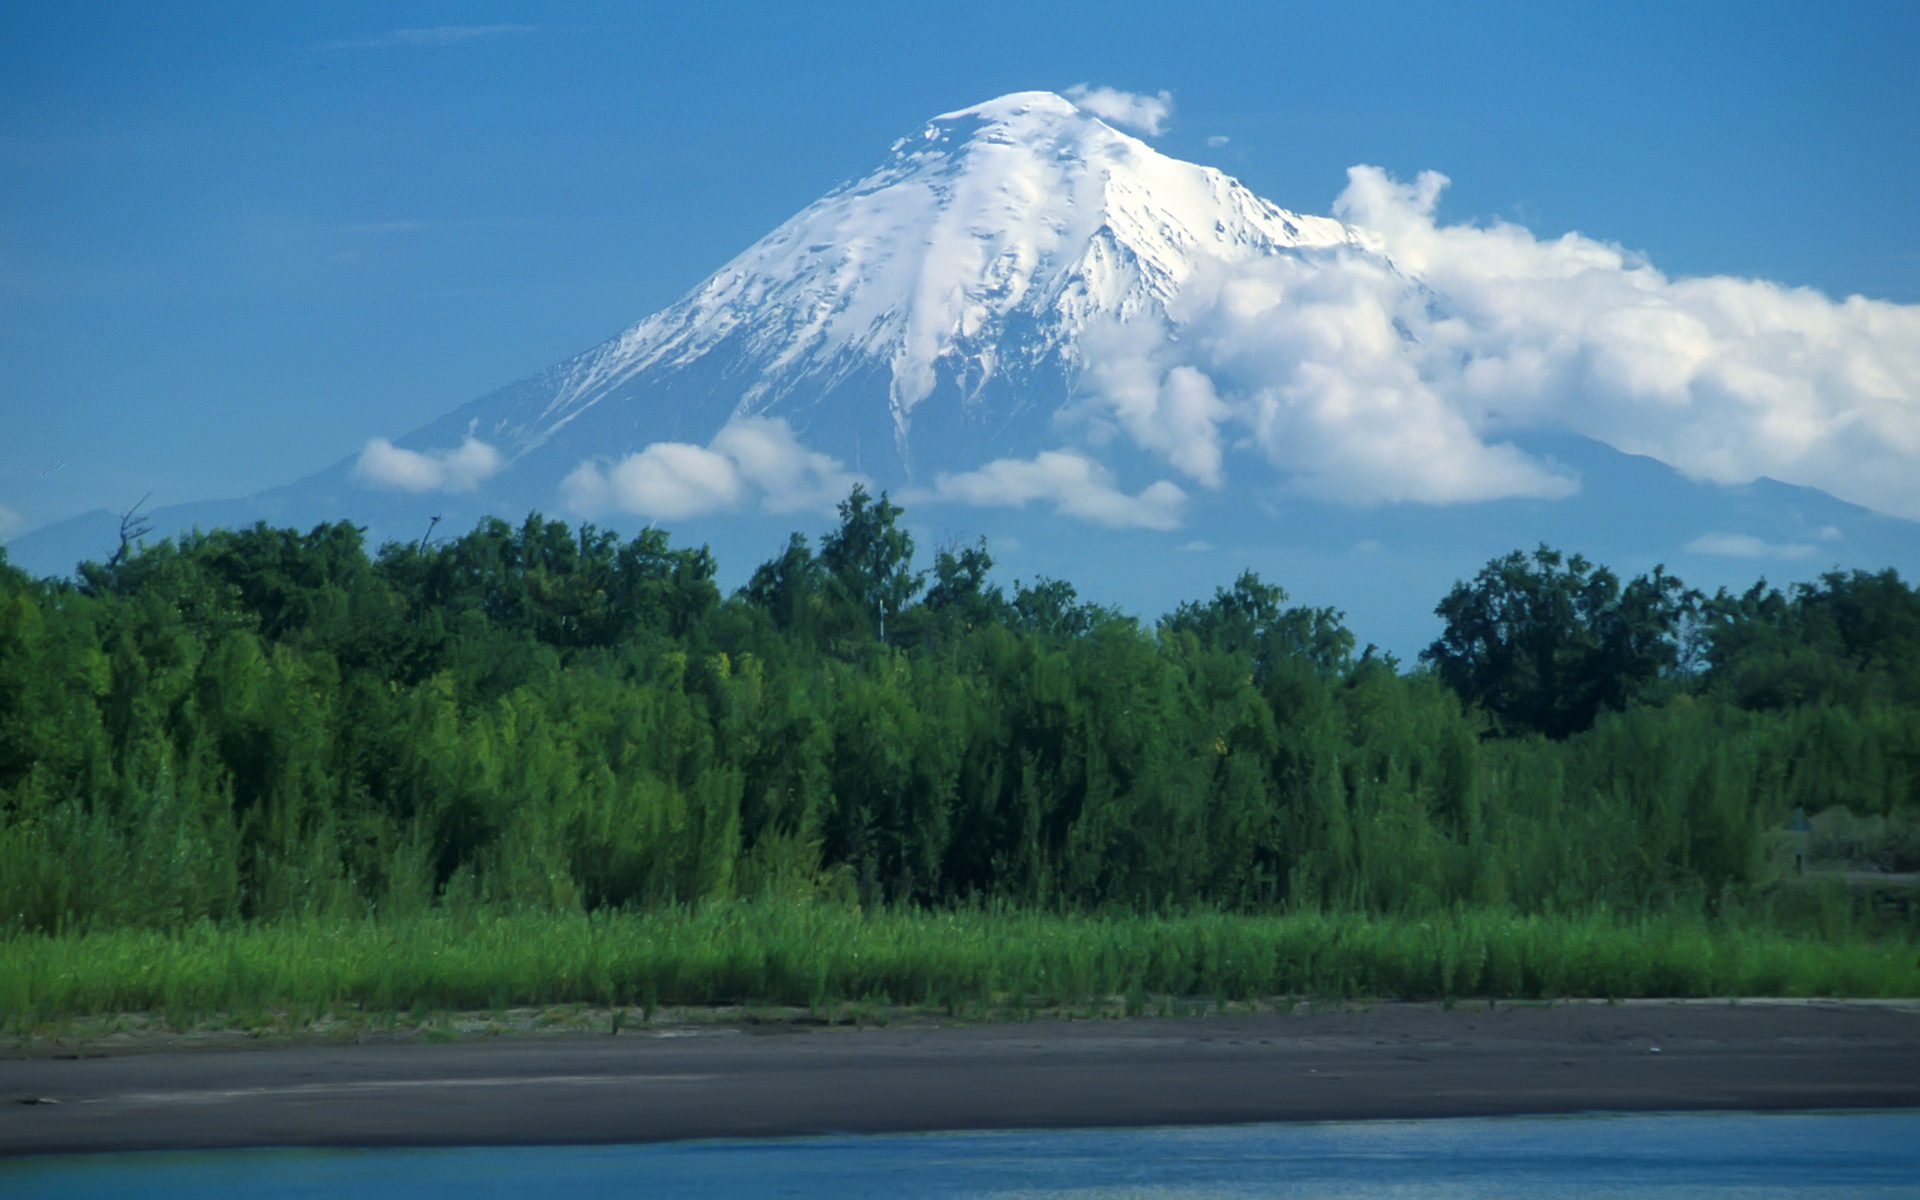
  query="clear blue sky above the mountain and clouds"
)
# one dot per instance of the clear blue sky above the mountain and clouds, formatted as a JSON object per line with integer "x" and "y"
{"x": 235, "y": 245}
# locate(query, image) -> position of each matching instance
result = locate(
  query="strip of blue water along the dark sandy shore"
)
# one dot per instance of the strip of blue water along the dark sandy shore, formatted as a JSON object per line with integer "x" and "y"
{"x": 1681, "y": 1155}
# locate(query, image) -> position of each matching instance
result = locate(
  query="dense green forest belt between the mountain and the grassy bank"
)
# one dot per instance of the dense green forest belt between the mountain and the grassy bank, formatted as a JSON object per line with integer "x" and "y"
{"x": 243, "y": 729}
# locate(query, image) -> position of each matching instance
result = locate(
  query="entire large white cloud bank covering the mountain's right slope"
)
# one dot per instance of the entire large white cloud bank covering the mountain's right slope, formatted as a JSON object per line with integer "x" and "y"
{"x": 1366, "y": 389}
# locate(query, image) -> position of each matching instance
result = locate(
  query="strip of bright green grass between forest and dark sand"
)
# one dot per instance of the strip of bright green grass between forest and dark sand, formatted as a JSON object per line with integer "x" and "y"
{"x": 978, "y": 963}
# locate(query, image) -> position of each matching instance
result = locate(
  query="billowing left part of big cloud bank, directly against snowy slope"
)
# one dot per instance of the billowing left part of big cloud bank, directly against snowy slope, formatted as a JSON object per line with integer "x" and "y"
{"x": 1303, "y": 364}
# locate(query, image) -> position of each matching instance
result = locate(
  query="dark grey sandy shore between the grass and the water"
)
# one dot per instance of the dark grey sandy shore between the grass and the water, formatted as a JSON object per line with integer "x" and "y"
{"x": 700, "y": 1082}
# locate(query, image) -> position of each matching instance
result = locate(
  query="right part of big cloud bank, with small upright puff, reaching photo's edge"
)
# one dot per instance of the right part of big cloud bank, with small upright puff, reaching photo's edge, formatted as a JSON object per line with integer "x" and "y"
{"x": 1725, "y": 379}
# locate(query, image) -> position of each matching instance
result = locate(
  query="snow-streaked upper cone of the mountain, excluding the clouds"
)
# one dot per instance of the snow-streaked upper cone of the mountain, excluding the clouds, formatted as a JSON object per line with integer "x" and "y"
{"x": 924, "y": 316}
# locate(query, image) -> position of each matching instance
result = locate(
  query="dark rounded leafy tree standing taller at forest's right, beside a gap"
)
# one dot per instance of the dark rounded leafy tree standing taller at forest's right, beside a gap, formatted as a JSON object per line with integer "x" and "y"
{"x": 1547, "y": 642}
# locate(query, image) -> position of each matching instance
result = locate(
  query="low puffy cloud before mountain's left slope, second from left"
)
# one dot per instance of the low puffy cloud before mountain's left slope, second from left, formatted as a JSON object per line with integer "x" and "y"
{"x": 750, "y": 458}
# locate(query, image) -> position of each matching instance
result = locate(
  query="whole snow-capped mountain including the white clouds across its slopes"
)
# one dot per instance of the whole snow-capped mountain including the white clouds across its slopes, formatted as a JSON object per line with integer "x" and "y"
{"x": 1038, "y": 329}
